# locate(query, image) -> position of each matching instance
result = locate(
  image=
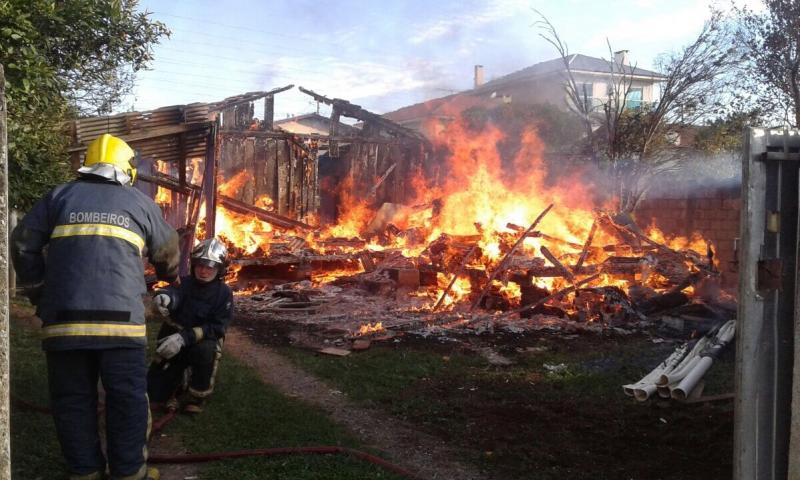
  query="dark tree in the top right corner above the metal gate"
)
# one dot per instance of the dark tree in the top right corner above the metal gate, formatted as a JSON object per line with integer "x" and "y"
{"x": 770, "y": 42}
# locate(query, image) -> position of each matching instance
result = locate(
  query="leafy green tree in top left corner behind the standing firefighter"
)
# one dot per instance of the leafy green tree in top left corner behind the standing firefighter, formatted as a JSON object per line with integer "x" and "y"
{"x": 63, "y": 58}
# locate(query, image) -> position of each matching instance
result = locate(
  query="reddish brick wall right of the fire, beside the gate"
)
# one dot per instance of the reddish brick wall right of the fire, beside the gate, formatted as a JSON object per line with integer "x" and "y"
{"x": 711, "y": 212}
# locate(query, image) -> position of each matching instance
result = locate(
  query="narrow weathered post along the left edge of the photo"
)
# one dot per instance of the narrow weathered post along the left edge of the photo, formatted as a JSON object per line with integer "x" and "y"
{"x": 5, "y": 385}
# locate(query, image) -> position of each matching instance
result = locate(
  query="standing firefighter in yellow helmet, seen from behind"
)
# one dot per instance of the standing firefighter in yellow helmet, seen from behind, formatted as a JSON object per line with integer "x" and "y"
{"x": 88, "y": 292}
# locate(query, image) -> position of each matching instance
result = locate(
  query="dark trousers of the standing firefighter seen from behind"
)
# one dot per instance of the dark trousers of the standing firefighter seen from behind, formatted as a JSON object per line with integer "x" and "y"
{"x": 72, "y": 377}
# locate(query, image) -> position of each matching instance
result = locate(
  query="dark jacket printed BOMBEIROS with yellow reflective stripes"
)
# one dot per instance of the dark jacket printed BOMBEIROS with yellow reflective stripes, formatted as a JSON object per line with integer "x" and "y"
{"x": 96, "y": 233}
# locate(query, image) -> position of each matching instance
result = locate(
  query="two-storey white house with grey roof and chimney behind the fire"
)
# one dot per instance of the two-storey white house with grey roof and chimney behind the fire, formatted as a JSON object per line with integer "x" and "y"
{"x": 542, "y": 83}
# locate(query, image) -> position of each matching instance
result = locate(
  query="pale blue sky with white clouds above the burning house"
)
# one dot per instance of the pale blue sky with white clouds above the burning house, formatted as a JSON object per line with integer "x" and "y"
{"x": 387, "y": 54}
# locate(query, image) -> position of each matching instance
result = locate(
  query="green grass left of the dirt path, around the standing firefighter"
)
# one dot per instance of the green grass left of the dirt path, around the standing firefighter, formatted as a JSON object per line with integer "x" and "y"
{"x": 243, "y": 413}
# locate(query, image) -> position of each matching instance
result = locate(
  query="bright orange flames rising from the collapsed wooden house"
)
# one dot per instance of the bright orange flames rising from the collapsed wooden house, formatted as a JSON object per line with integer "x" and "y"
{"x": 484, "y": 202}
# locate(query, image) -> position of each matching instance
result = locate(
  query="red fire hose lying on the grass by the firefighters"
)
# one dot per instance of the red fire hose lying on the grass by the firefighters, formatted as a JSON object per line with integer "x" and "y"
{"x": 257, "y": 452}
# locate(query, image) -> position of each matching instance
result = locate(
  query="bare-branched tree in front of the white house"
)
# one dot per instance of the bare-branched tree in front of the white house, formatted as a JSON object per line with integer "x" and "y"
{"x": 634, "y": 145}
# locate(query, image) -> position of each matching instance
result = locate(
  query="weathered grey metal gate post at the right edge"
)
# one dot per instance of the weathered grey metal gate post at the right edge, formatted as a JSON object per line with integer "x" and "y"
{"x": 766, "y": 317}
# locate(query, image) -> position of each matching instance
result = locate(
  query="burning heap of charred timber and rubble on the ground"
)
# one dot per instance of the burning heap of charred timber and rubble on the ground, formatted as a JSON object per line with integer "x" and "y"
{"x": 534, "y": 281}
